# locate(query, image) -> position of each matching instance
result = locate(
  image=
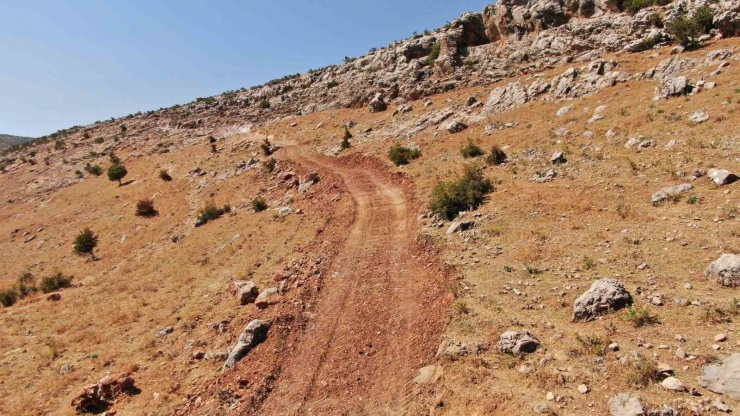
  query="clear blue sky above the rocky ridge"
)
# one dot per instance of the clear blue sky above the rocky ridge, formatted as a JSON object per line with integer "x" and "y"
{"x": 65, "y": 63}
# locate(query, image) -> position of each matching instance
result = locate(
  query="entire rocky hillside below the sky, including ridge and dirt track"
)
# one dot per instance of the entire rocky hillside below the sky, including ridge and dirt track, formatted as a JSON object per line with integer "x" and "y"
{"x": 374, "y": 304}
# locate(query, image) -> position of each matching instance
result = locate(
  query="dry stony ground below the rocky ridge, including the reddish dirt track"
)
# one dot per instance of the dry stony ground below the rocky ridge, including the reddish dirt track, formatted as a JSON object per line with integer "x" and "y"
{"x": 535, "y": 246}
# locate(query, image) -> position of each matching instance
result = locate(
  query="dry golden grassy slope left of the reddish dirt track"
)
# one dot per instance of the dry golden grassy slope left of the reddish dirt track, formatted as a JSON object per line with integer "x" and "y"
{"x": 144, "y": 282}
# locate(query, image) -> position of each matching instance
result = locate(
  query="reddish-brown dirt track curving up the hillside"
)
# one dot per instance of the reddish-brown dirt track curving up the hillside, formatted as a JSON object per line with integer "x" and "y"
{"x": 379, "y": 317}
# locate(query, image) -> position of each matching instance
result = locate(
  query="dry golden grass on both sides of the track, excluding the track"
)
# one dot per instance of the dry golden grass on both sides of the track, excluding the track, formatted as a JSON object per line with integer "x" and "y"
{"x": 147, "y": 282}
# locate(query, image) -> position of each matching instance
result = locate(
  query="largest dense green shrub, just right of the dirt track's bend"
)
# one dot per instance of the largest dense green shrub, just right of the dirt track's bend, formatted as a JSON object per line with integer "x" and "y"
{"x": 463, "y": 194}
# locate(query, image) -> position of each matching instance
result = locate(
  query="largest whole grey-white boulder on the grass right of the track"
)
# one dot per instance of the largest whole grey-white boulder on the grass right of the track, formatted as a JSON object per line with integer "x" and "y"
{"x": 604, "y": 295}
